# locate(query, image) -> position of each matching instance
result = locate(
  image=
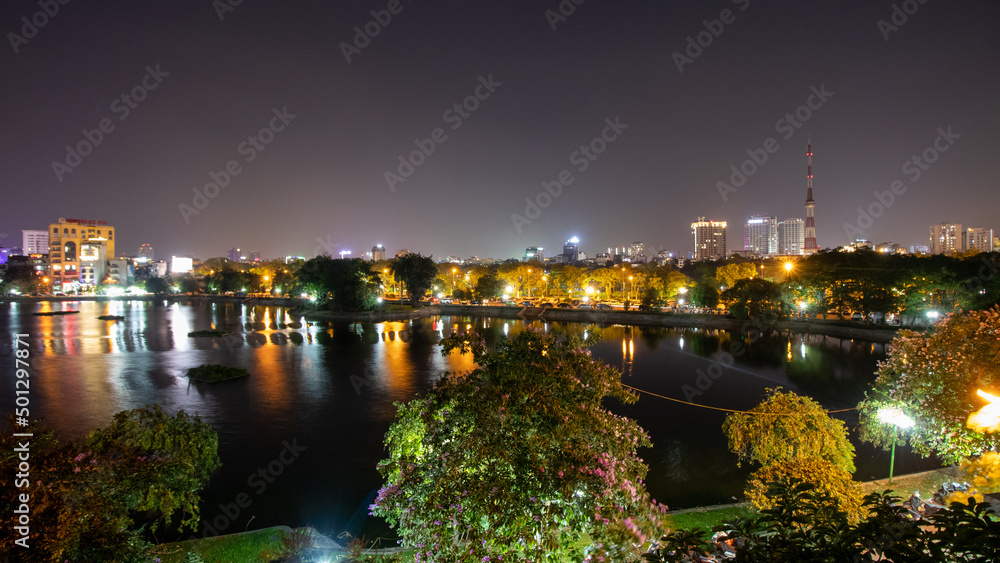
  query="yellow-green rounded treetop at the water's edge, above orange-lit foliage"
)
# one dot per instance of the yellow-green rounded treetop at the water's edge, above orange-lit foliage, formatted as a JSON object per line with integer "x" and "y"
{"x": 786, "y": 426}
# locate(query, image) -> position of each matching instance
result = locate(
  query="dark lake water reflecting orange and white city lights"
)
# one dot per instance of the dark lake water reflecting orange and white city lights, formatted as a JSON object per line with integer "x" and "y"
{"x": 300, "y": 438}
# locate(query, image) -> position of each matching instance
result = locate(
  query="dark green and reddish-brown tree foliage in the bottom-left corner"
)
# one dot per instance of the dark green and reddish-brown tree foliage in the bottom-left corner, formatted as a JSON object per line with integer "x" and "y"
{"x": 93, "y": 498}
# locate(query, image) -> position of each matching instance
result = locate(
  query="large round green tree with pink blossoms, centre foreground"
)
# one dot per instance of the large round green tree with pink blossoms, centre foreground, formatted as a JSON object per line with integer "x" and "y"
{"x": 518, "y": 460}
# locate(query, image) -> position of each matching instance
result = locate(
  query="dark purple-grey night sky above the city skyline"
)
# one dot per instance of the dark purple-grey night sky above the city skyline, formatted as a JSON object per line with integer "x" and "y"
{"x": 322, "y": 177}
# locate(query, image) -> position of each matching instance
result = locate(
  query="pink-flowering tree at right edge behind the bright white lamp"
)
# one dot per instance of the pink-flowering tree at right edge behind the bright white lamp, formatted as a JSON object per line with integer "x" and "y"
{"x": 933, "y": 378}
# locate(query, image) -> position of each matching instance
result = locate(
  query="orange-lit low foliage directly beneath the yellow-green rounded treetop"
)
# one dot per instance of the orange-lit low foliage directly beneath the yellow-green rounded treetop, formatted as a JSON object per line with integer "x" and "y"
{"x": 824, "y": 476}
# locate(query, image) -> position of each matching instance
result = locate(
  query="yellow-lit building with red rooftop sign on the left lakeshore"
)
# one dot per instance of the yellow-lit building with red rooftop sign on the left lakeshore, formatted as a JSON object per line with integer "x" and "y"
{"x": 66, "y": 250}
